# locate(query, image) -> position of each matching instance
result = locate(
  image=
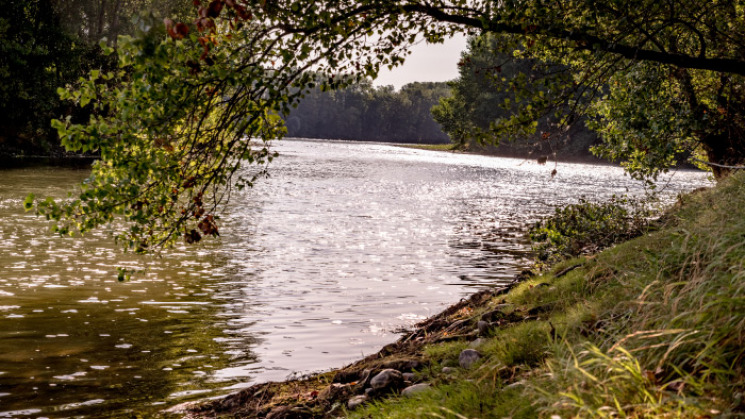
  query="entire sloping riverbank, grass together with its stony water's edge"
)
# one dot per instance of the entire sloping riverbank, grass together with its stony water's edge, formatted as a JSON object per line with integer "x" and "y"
{"x": 653, "y": 327}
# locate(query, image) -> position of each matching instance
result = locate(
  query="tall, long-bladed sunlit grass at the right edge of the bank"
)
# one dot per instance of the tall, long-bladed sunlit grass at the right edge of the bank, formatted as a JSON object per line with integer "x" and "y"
{"x": 680, "y": 351}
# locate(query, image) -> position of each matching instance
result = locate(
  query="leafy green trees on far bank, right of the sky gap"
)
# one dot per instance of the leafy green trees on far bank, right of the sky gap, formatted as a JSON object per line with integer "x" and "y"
{"x": 482, "y": 97}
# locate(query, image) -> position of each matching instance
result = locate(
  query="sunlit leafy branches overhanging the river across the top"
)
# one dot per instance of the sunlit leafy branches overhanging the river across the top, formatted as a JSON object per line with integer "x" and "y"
{"x": 180, "y": 118}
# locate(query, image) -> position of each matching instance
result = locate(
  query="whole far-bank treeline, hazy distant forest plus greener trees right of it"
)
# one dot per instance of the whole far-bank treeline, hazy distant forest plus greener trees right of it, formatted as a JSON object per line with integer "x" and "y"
{"x": 465, "y": 105}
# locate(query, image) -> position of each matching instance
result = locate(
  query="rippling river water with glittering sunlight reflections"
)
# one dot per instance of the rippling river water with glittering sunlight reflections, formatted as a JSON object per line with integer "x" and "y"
{"x": 327, "y": 260}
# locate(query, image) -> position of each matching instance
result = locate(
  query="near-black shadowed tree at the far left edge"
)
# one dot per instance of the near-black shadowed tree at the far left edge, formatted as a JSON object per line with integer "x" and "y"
{"x": 36, "y": 56}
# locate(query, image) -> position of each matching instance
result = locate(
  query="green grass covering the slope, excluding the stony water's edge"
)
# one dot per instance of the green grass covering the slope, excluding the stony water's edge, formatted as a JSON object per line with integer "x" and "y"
{"x": 653, "y": 327}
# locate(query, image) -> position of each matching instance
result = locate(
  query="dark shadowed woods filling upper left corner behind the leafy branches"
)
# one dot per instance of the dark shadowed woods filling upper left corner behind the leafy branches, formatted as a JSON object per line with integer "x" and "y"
{"x": 45, "y": 44}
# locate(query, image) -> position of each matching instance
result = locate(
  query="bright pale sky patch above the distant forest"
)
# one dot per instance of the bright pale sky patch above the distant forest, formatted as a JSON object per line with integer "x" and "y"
{"x": 427, "y": 62}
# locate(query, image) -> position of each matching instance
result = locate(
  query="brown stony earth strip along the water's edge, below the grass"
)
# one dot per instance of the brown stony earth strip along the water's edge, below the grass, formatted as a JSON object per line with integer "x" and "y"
{"x": 329, "y": 393}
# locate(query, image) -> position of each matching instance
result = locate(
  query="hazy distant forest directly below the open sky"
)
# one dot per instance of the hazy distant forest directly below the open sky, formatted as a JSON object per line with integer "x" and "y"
{"x": 364, "y": 112}
